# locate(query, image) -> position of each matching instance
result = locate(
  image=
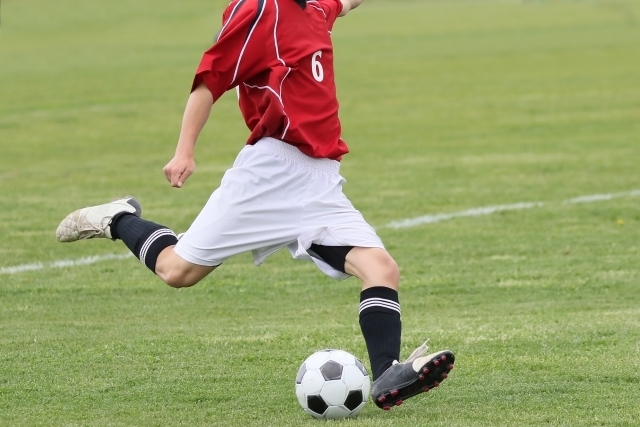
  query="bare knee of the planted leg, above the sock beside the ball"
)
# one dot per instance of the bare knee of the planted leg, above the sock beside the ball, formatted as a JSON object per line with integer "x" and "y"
{"x": 374, "y": 266}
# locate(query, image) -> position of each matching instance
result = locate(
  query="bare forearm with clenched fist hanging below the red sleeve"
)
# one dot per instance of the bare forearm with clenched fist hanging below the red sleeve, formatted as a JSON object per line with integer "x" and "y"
{"x": 195, "y": 116}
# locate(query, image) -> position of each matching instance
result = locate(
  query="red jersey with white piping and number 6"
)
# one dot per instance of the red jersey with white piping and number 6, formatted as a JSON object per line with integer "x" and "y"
{"x": 280, "y": 58}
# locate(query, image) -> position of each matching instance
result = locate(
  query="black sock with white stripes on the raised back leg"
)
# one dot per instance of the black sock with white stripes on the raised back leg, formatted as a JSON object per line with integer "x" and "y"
{"x": 144, "y": 238}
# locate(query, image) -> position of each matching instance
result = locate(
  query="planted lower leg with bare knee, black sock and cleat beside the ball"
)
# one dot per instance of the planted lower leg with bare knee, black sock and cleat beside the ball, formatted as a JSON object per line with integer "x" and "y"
{"x": 380, "y": 323}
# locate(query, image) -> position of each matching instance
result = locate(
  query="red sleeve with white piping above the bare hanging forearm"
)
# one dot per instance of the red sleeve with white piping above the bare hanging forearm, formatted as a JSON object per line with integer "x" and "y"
{"x": 238, "y": 53}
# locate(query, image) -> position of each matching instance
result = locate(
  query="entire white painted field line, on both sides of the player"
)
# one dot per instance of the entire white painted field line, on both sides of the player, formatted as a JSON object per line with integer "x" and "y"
{"x": 404, "y": 223}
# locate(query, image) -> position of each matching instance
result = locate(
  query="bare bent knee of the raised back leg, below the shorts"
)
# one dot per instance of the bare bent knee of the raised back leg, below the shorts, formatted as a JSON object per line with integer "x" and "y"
{"x": 177, "y": 272}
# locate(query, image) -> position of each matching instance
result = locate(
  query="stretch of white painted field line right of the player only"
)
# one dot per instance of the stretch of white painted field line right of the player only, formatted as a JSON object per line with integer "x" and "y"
{"x": 488, "y": 210}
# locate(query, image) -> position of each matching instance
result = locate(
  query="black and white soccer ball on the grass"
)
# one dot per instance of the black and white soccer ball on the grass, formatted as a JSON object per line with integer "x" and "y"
{"x": 332, "y": 384}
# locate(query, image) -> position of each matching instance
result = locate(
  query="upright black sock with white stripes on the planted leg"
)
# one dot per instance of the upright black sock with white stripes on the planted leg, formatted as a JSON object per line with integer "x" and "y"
{"x": 381, "y": 327}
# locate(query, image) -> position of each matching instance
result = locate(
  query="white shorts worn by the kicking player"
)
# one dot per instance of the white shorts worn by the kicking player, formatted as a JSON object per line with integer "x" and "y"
{"x": 276, "y": 196}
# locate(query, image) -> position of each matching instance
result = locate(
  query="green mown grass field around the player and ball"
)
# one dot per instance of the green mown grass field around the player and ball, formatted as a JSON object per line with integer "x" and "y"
{"x": 446, "y": 106}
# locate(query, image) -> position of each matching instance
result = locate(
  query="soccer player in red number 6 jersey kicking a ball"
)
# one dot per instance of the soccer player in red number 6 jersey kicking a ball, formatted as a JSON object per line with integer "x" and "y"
{"x": 284, "y": 189}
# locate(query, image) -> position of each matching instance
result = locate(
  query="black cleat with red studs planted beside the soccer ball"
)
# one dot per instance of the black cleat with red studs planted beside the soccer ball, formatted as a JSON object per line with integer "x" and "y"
{"x": 418, "y": 374}
